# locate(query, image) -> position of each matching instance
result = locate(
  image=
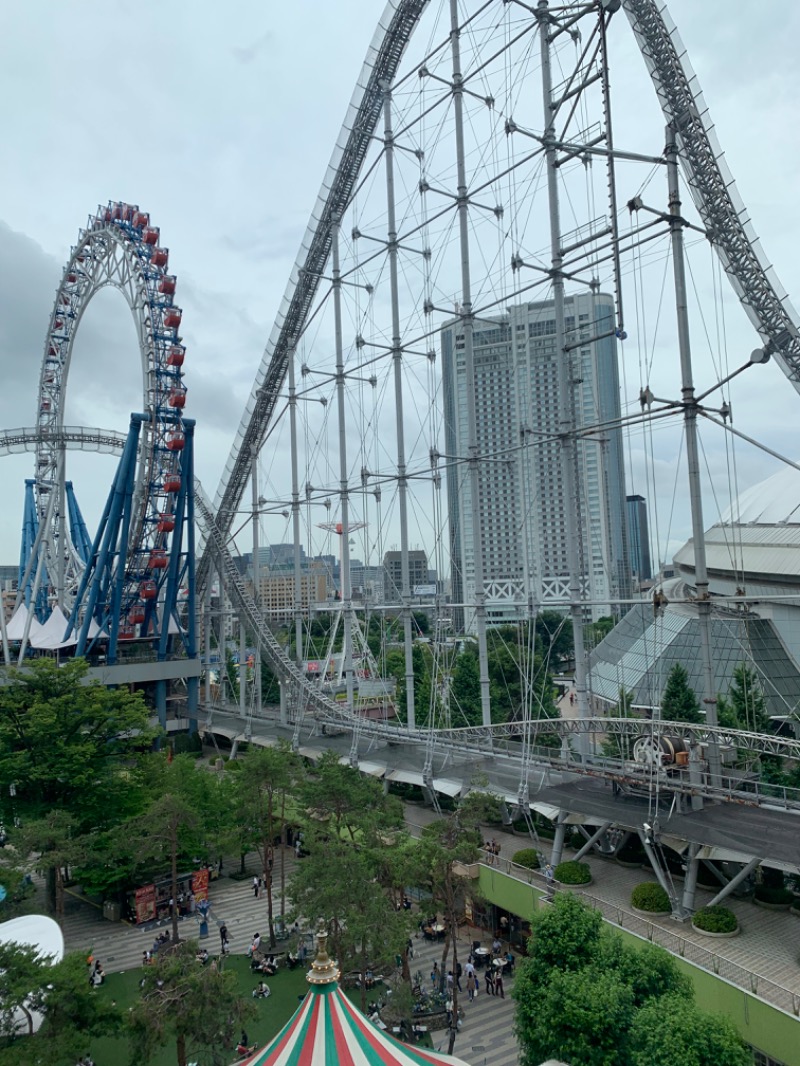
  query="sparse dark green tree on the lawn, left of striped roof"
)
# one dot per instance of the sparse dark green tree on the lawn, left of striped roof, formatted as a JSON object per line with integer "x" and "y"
{"x": 198, "y": 1007}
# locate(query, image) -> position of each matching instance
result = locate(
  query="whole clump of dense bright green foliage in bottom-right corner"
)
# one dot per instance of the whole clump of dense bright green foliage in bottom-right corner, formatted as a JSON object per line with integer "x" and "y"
{"x": 585, "y": 996}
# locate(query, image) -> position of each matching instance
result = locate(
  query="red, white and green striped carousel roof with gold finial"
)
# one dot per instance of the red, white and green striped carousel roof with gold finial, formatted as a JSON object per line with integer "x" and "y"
{"x": 327, "y": 1030}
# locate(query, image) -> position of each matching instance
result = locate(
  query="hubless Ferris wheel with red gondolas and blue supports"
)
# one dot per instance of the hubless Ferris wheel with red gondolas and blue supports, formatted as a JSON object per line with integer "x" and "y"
{"x": 117, "y": 586}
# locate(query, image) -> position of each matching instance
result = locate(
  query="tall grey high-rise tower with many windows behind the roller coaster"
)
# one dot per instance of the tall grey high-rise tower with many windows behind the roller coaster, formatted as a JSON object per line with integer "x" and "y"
{"x": 522, "y": 506}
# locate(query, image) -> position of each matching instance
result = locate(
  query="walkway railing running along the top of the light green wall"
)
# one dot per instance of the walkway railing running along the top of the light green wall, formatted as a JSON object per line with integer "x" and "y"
{"x": 777, "y": 995}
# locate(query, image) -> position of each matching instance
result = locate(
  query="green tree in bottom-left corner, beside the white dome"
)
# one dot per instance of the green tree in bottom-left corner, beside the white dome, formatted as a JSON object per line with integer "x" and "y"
{"x": 72, "y": 1013}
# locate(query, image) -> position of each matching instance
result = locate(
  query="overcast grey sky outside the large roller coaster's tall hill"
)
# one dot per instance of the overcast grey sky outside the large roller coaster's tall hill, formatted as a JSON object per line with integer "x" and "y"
{"x": 220, "y": 121}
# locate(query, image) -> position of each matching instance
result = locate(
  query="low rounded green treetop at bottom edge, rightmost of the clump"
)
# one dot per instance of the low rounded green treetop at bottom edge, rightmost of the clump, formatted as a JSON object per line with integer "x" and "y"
{"x": 671, "y": 1030}
